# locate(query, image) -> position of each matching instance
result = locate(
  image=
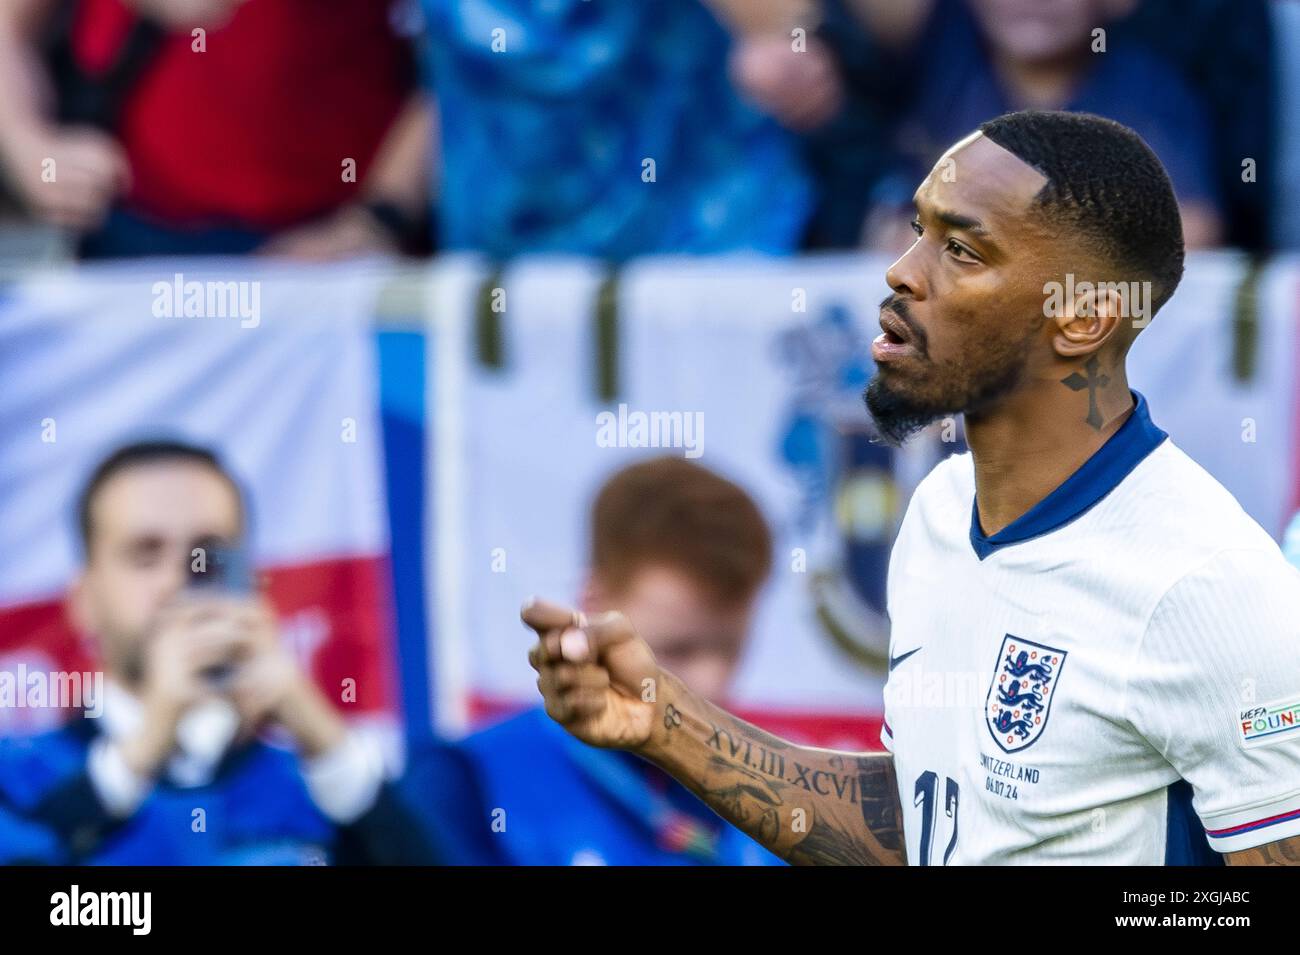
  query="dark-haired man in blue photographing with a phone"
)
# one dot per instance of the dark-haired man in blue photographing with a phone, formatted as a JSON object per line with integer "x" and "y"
{"x": 174, "y": 770}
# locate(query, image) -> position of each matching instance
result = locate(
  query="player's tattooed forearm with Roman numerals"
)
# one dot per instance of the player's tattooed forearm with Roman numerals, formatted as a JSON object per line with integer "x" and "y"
{"x": 809, "y": 806}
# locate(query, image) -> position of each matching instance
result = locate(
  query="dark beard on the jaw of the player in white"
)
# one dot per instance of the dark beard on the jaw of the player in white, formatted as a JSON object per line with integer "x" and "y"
{"x": 904, "y": 402}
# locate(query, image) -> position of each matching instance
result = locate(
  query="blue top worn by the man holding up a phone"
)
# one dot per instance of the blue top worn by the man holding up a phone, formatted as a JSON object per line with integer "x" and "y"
{"x": 257, "y": 811}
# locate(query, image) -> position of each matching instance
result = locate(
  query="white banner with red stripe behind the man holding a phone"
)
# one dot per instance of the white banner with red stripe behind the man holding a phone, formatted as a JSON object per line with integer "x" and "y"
{"x": 274, "y": 367}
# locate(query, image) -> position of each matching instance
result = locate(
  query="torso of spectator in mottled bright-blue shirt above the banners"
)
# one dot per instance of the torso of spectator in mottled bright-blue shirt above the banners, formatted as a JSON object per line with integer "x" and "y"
{"x": 609, "y": 129}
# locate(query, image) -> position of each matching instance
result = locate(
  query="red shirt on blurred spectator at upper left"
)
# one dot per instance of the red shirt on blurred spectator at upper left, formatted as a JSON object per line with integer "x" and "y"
{"x": 255, "y": 131}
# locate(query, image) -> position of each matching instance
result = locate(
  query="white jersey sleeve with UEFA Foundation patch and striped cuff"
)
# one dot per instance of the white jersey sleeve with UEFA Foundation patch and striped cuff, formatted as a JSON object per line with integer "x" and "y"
{"x": 1215, "y": 687}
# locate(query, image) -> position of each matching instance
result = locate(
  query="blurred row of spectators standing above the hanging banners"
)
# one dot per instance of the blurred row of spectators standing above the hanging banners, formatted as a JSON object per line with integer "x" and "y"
{"x": 322, "y": 129}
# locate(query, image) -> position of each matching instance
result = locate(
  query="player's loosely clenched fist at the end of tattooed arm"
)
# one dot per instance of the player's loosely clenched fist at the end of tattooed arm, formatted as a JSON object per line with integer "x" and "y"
{"x": 599, "y": 679}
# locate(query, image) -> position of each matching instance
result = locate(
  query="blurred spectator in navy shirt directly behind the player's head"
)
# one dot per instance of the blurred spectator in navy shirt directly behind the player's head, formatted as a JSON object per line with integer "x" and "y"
{"x": 931, "y": 71}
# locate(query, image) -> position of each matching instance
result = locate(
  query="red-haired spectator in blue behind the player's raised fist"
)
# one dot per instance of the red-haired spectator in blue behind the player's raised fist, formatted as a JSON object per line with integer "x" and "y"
{"x": 684, "y": 554}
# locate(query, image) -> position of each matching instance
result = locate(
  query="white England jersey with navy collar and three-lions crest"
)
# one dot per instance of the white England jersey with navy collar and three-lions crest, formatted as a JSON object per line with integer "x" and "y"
{"x": 1113, "y": 679}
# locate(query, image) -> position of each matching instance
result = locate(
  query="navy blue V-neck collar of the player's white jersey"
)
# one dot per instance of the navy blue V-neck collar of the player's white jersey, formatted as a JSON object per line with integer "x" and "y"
{"x": 1097, "y": 477}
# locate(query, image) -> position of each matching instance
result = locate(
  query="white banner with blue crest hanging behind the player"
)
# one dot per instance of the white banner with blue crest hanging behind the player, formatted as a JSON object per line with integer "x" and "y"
{"x": 764, "y": 363}
